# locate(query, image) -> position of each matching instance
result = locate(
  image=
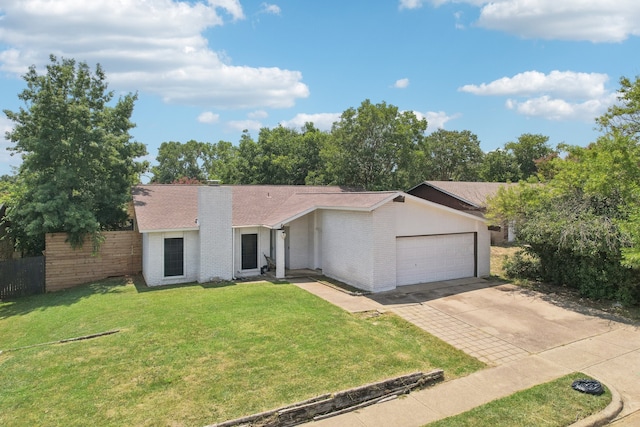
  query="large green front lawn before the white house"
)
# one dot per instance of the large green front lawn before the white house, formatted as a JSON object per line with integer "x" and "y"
{"x": 194, "y": 355}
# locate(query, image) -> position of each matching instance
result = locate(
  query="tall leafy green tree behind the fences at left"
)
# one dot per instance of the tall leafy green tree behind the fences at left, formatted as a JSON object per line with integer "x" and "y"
{"x": 78, "y": 156}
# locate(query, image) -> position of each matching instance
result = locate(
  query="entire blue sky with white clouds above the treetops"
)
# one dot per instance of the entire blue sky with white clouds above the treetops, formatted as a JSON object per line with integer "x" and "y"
{"x": 206, "y": 70}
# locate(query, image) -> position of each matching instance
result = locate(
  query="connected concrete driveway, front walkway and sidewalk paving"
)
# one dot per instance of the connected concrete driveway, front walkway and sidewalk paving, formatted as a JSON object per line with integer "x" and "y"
{"x": 524, "y": 337}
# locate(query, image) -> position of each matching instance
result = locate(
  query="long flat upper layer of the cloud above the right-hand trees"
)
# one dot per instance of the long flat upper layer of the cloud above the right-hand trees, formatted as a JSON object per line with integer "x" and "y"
{"x": 561, "y": 83}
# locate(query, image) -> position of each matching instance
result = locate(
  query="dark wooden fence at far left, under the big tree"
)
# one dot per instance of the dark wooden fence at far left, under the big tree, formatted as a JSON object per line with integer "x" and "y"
{"x": 21, "y": 277}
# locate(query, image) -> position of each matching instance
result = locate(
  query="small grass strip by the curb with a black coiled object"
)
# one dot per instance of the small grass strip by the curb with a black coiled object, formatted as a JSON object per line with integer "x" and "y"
{"x": 553, "y": 404}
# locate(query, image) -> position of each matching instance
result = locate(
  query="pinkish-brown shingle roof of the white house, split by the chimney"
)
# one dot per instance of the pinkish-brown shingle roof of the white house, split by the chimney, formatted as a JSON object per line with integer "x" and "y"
{"x": 175, "y": 207}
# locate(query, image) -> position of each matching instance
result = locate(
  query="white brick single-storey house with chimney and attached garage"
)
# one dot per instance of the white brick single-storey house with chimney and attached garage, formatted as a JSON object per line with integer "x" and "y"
{"x": 372, "y": 240}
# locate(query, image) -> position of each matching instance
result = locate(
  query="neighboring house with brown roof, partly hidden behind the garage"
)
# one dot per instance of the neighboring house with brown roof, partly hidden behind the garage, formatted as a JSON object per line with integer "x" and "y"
{"x": 470, "y": 197}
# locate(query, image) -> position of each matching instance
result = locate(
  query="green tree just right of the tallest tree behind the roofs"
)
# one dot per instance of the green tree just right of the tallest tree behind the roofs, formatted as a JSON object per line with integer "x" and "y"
{"x": 451, "y": 155}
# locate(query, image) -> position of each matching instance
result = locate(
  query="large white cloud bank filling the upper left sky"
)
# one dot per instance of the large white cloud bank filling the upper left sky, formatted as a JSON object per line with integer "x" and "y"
{"x": 155, "y": 46}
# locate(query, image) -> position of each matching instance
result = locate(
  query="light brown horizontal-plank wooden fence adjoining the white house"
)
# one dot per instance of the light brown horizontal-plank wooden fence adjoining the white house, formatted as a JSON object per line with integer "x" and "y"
{"x": 119, "y": 255}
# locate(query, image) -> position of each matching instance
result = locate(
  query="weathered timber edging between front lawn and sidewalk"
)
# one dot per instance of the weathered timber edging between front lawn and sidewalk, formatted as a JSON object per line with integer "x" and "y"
{"x": 328, "y": 405}
